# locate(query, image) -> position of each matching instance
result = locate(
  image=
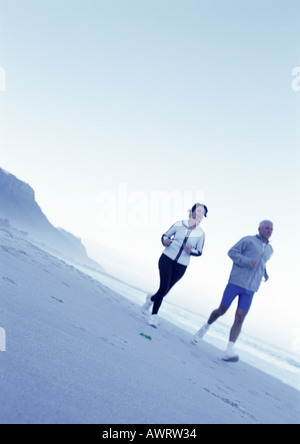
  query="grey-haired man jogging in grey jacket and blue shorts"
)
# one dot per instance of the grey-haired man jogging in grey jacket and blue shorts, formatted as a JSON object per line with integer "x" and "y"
{"x": 249, "y": 257}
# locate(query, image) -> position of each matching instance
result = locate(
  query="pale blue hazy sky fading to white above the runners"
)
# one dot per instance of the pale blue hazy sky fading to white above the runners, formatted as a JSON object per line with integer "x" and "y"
{"x": 134, "y": 108}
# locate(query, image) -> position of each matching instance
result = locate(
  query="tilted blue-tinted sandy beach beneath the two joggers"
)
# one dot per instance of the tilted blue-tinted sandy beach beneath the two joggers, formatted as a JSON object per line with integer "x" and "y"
{"x": 78, "y": 353}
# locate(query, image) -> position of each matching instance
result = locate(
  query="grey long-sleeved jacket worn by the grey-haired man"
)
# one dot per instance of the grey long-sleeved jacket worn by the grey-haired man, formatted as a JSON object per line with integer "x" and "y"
{"x": 242, "y": 273}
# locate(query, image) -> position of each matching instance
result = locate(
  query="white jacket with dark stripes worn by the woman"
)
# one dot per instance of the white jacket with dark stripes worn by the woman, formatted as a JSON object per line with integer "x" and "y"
{"x": 181, "y": 235}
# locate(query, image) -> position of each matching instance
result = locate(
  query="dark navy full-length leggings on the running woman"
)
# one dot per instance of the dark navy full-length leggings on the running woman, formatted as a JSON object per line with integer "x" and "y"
{"x": 170, "y": 273}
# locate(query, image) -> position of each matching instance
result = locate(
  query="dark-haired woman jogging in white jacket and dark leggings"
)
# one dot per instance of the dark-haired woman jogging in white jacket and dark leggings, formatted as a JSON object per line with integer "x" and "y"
{"x": 183, "y": 240}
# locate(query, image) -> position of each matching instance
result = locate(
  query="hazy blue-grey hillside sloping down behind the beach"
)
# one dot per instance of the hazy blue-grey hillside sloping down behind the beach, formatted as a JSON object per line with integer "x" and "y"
{"x": 19, "y": 209}
